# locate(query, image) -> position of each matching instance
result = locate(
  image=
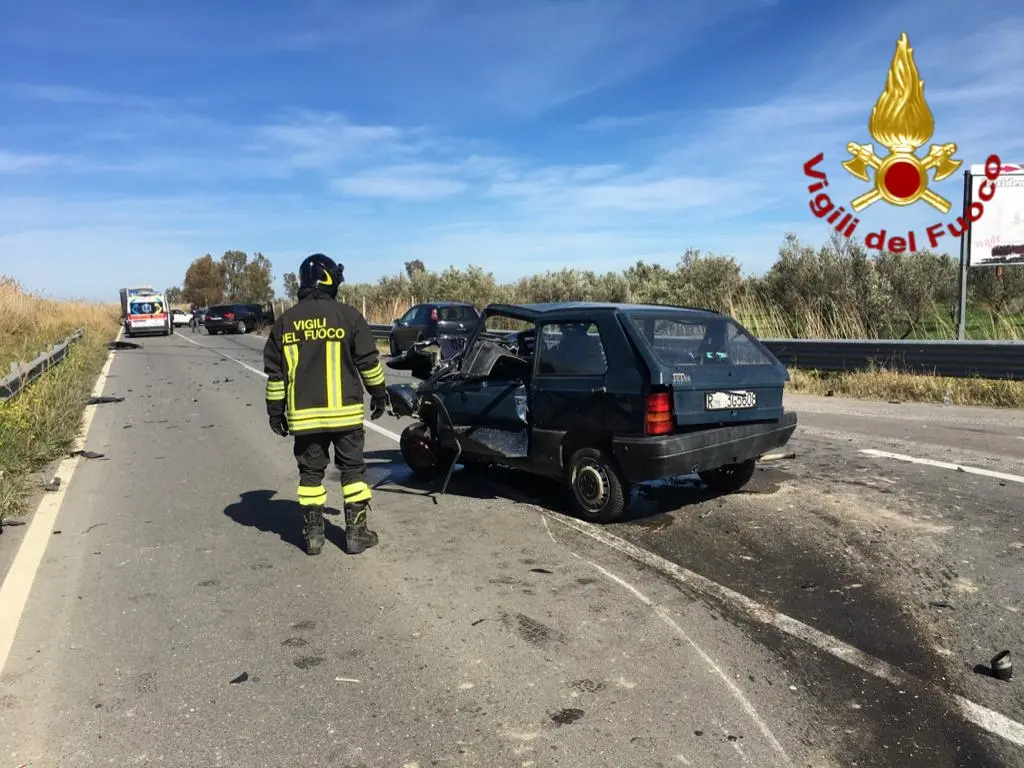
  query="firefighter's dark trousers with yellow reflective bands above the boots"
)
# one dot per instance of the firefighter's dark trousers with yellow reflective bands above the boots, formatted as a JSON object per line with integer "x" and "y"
{"x": 313, "y": 456}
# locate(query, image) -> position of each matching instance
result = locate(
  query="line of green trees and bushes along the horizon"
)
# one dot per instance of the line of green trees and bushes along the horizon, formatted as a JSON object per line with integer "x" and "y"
{"x": 840, "y": 290}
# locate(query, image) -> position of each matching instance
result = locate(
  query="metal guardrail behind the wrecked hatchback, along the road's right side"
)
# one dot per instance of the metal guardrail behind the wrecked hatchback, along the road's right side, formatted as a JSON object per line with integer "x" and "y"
{"x": 986, "y": 360}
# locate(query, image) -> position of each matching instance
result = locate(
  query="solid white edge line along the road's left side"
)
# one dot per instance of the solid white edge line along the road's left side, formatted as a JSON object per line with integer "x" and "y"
{"x": 18, "y": 585}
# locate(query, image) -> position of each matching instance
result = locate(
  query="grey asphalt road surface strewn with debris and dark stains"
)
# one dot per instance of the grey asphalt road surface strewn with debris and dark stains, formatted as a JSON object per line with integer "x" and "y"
{"x": 488, "y": 629}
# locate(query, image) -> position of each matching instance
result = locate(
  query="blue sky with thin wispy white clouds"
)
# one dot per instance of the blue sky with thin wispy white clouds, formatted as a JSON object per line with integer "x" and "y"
{"x": 521, "y": 136}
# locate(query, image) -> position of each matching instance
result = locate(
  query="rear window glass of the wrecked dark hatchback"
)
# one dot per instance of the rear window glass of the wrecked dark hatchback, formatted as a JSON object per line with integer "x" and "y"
{"x": 698, "y": 342}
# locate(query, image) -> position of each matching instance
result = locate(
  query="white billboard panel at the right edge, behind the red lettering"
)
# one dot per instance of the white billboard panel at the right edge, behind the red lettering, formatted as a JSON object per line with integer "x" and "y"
{"x": 998, "y": 238}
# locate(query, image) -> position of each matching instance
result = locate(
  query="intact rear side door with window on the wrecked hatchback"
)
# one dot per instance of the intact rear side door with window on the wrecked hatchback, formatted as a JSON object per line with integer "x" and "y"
{"x": 569, "y": 388}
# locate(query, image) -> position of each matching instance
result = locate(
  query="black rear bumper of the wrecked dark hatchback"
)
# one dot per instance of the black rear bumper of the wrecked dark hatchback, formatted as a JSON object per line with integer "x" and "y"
{"x": 655, "y": 458}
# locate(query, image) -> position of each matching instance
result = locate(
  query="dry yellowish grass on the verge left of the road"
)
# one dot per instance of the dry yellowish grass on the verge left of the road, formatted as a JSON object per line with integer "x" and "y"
{"x": 41, "y": 423}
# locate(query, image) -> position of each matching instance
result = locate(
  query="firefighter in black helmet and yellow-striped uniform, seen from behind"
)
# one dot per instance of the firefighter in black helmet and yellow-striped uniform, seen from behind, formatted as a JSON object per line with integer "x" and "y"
{"x": 319, "y": 357}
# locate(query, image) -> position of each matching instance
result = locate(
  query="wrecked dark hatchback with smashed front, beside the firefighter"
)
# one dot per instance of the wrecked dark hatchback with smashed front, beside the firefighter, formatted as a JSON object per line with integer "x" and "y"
{"x": 602, "y": 397}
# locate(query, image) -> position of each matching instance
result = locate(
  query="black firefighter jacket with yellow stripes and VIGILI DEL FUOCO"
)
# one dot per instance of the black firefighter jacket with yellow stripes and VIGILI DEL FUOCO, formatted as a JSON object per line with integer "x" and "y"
{"x": 318, "y": 357}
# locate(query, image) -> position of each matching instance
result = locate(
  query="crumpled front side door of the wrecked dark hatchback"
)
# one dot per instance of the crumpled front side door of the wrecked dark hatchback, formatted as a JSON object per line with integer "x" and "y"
{"x": 490, "y": 410}
